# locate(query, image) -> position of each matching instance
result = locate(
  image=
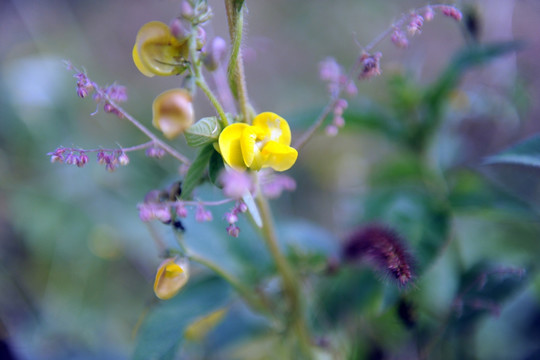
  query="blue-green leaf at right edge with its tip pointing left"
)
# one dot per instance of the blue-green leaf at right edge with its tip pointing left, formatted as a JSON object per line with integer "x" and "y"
{"x": 517, "y": 170}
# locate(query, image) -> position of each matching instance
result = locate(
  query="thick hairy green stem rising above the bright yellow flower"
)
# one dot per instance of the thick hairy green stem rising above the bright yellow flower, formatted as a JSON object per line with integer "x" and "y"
{"x": 235, "y": 70}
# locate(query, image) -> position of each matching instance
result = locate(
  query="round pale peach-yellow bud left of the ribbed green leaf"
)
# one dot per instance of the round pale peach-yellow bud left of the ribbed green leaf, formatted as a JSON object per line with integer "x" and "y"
{"x": 172, "y": 112}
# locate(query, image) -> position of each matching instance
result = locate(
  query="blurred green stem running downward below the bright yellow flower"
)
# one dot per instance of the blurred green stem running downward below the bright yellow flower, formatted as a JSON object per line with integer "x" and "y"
{"x": 290, "y": 284}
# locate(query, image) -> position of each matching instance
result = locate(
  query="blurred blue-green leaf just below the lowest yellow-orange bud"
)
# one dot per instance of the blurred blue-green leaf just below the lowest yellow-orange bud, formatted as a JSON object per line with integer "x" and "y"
{"x": 163, "y": 328}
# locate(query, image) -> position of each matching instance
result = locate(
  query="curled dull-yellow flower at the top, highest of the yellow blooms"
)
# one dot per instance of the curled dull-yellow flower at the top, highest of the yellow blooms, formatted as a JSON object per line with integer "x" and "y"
{"x": 158, "y": 52}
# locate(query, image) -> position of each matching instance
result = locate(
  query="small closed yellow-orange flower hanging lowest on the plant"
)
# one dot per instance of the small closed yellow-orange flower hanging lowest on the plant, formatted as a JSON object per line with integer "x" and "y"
{"x": 171, "y": 276}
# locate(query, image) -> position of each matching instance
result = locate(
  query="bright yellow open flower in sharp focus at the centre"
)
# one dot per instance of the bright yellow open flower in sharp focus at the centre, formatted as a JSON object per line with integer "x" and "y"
{"x": 266, "y": 143}
